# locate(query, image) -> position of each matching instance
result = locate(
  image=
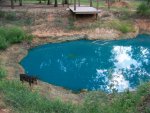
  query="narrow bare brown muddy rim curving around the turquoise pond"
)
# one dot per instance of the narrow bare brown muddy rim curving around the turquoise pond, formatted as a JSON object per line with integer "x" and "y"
{"x": 11, "y": 57}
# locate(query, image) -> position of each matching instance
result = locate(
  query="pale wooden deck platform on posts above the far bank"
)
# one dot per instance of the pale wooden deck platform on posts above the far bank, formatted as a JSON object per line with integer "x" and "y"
{"x": 84, "y": 10}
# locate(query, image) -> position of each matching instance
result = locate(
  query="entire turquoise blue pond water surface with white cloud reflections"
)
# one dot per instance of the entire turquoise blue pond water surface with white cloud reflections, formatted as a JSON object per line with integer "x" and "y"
{"x": 92, "y": 65}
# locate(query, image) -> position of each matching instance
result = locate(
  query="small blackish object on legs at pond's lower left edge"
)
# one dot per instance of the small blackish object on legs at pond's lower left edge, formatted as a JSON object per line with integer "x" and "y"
{"x": 25, "y": 77}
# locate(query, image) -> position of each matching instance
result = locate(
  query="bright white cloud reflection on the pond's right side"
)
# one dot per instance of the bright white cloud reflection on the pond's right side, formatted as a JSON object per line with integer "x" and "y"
{"x": 127, "y": 69}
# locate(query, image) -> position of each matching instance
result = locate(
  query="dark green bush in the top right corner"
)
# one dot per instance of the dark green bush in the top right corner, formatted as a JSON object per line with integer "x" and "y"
{"x": 144, "y": 10}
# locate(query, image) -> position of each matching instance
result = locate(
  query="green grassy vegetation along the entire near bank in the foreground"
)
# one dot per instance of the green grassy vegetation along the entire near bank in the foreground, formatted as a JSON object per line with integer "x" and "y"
{"x": 21, "y": 100}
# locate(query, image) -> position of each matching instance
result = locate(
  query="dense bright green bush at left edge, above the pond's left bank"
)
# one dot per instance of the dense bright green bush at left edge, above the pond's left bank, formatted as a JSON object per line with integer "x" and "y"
{"x": 12, "y": 35}
